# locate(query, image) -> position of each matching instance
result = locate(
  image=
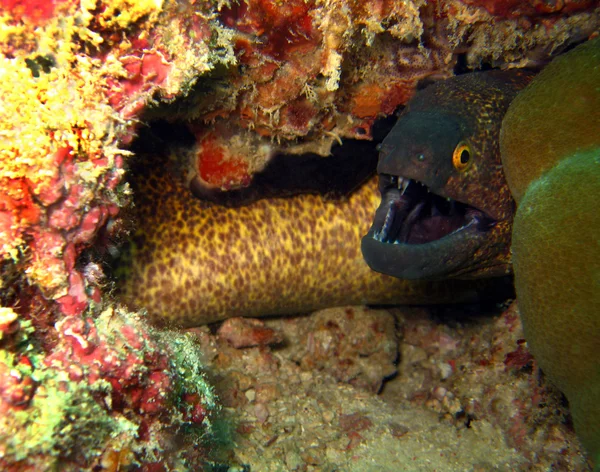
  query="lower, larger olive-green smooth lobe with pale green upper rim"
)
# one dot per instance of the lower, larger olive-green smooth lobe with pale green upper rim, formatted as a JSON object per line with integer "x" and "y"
{"x": 556, "y": 254}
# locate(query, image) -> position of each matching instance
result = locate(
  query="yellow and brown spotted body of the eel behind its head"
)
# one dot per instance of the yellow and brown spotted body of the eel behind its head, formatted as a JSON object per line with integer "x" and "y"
{"x": 192, "y": 262}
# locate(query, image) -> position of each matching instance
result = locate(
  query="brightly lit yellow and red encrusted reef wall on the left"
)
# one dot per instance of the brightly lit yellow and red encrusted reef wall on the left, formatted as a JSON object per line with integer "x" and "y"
{"x": 85, "y": 384}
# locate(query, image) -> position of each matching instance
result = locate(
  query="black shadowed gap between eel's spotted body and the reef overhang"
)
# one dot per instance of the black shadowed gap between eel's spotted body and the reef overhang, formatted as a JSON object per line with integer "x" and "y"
{"x": 348, "y": 166}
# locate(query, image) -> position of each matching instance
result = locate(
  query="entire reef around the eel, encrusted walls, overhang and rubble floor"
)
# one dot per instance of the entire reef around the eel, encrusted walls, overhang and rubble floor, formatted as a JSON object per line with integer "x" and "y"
{"x": 88, "y": 384}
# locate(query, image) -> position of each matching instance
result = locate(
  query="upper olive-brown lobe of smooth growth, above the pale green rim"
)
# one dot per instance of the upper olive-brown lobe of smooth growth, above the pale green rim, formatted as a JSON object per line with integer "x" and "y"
{"x": 557, "y": 115}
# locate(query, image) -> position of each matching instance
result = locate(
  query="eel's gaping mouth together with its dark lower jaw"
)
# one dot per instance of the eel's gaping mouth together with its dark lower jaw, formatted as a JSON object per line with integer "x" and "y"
{"x": 418, "y": 234}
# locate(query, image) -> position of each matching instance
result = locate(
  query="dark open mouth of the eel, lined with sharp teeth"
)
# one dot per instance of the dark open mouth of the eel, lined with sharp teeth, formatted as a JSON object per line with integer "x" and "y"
{"x": 410, "y": 214}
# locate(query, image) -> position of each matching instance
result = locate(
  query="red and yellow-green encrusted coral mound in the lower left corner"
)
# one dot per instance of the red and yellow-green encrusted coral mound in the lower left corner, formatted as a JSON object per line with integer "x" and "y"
{"x": 111, "y": 387}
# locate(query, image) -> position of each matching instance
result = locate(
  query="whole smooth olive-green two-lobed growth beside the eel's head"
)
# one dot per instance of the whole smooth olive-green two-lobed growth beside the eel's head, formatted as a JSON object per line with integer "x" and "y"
{"x": 550, "y": 144}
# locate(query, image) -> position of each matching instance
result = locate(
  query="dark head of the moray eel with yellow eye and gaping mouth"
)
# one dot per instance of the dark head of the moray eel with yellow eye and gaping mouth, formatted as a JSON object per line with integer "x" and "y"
{"x": 446, "y": 210}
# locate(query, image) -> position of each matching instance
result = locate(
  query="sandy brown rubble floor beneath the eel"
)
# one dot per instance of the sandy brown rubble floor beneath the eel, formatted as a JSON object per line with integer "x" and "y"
{"x": 466, "y": 396}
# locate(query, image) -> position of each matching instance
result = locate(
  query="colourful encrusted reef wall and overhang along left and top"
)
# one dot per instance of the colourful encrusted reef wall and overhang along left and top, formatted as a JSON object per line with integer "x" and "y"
{"x": 83, "y": 382}
